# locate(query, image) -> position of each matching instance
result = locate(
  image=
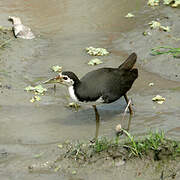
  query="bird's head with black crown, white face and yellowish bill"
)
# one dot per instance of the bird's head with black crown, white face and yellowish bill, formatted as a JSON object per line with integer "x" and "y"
{"x": 66, "y": 78}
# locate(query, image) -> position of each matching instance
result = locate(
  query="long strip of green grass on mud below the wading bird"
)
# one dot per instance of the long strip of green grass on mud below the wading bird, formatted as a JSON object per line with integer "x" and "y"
{"x": 132, "y": 147}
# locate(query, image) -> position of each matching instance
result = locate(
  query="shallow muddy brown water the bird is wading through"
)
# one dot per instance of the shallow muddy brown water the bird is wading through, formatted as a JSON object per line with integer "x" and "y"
{"x": 63, "y": 29}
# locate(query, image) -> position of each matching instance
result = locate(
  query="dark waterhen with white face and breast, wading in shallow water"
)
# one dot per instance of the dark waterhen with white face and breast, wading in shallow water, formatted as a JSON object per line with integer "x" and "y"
{"x": 103, "y": 85}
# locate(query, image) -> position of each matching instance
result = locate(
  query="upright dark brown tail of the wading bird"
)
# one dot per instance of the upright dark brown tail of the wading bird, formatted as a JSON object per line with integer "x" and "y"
{"x": 129, "y": 62}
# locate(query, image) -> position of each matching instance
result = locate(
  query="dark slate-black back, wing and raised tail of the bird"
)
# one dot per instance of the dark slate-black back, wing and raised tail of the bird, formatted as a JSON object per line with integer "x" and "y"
{"x": 108, "y": 83}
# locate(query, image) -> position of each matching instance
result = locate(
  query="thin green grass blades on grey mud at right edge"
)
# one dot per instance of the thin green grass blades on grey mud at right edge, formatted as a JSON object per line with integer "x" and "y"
{"x": 166, "y": 50}
